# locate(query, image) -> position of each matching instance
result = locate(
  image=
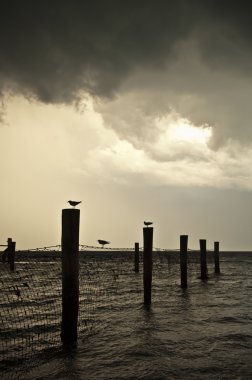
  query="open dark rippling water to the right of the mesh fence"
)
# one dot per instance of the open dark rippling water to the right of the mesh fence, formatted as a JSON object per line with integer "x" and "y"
{"x": 204, "y": 332}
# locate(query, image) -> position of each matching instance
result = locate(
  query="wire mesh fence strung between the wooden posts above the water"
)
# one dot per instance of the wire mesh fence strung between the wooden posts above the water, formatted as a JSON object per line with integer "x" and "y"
{"x": 30, "y": 297}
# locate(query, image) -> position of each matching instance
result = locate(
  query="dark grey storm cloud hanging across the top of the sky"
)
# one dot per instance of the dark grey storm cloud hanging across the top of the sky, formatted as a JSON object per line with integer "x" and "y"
{"x": 53, "y": 49}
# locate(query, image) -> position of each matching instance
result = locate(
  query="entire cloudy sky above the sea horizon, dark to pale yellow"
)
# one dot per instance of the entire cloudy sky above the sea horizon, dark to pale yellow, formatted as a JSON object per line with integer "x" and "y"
{"x": 140, "y": 109}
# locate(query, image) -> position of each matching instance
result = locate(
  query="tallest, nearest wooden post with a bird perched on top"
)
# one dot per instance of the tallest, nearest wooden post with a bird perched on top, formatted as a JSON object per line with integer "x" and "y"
{"x": 70, "y": 275}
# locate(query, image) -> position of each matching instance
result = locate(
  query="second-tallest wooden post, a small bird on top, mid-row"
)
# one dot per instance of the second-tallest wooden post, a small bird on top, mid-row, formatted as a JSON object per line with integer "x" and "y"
{"x": 147, "y": 263}
